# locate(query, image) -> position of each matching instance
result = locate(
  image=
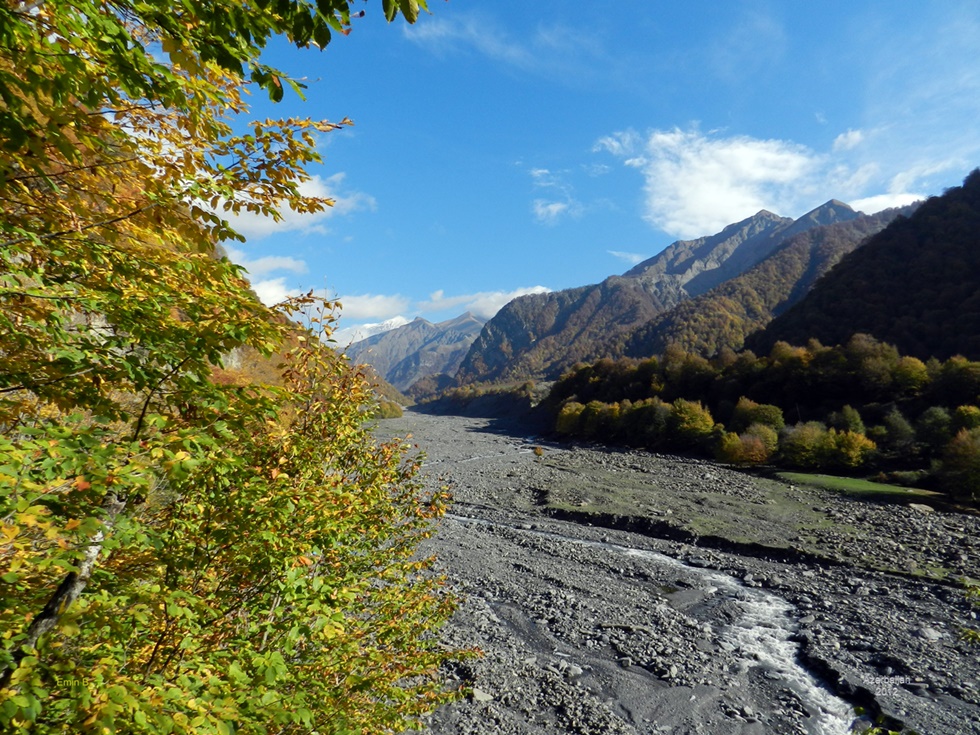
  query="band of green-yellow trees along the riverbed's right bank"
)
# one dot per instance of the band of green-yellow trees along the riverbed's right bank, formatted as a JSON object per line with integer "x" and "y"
{"x": 856, "y": 407}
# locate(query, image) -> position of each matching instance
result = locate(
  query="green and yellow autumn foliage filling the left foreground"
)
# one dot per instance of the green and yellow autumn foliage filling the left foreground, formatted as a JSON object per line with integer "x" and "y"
{"x": 183, "y": 554}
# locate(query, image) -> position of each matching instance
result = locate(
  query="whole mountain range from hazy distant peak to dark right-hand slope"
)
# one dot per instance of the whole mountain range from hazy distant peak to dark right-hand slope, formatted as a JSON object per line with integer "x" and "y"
{"x": 904, "y": 275}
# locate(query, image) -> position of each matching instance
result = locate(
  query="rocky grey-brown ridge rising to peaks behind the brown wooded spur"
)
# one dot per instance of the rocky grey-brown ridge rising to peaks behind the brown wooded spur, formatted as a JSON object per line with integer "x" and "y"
{"x": 541, "y": 335}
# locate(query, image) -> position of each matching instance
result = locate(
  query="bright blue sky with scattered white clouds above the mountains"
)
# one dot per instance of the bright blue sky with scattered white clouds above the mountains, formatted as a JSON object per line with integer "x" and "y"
{"x": 506, "y": 146}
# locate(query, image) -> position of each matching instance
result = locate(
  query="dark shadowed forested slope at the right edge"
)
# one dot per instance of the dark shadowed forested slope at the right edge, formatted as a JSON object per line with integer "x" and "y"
{"x": 915, "y": 285}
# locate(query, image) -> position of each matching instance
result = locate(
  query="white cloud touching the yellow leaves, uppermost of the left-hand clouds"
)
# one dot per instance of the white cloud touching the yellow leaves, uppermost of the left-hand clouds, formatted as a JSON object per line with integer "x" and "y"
{"x": 255, "y": 227}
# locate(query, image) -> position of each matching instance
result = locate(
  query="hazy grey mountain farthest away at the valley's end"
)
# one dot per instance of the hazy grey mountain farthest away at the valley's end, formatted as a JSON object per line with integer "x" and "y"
{"x": 418, "y": 348}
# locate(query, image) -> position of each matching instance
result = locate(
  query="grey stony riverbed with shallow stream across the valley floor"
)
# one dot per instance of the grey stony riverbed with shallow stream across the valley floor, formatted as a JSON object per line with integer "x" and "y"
{"x": 729, "y": 604}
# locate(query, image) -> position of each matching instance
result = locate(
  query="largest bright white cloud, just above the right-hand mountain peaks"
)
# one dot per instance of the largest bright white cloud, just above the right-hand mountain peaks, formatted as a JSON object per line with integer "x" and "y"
{"x": 697, "y": 183}
